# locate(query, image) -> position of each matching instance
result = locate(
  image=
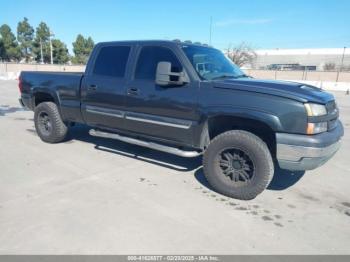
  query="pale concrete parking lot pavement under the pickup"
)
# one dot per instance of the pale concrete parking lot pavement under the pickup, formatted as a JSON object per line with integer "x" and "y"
{"x": 96, "y": 196}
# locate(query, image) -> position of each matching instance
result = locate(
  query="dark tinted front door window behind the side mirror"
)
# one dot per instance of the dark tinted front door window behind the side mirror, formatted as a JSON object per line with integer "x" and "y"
{"x": 149, "y": 58}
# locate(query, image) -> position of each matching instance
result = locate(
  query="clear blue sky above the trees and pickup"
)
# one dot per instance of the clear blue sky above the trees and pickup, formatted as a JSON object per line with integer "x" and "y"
{"x": 261, "y": 23}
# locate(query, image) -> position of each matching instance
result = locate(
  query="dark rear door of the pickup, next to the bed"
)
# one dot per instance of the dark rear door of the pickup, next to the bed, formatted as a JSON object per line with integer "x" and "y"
{"x": 103, "y": 88}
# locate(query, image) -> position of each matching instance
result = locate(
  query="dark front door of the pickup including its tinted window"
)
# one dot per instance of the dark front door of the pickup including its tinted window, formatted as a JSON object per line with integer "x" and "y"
{"x": 165, "y": 113}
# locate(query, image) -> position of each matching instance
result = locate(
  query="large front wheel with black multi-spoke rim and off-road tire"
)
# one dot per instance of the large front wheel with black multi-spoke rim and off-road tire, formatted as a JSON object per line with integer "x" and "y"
{"x": 238, "y": 164}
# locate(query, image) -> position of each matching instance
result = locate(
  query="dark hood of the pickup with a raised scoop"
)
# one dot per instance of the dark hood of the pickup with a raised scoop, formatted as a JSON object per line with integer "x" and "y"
{"x": 292, "y": 90}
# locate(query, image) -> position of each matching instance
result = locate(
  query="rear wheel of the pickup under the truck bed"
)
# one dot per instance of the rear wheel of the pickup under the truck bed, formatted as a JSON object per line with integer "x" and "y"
{"x": 48, "y": 123}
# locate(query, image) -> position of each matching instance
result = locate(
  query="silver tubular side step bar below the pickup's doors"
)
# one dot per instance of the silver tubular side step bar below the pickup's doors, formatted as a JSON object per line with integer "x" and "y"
{"x": 152, "y": 145}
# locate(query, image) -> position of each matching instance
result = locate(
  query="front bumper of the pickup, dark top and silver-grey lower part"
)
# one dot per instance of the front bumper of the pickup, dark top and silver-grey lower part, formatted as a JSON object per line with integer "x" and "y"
{"x": 305, "y": 152}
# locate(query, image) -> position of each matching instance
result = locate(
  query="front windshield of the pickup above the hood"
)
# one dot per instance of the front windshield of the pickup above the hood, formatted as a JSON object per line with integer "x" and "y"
{"x": 211, "y": 63}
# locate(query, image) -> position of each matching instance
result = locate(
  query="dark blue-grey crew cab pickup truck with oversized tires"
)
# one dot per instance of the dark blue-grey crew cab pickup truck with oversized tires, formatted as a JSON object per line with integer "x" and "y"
{"x": 189, "y": 100}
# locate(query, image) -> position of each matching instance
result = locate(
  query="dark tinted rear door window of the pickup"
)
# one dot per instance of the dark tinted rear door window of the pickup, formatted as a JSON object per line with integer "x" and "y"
{"x": 111, "y": 61}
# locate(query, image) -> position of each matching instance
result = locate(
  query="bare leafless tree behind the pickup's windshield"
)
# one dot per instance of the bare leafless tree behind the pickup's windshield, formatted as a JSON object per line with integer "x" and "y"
{"x": 241, "y": 54}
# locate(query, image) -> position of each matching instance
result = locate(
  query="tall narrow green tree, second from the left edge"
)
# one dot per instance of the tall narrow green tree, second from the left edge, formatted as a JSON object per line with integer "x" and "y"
{"x": 25, "y": 34}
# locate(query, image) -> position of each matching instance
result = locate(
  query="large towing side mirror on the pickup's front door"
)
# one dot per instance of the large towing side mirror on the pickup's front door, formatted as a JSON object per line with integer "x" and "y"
{"x": 165, "y": 77}
